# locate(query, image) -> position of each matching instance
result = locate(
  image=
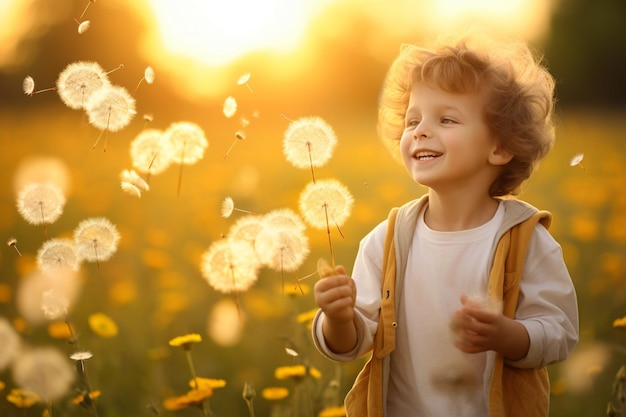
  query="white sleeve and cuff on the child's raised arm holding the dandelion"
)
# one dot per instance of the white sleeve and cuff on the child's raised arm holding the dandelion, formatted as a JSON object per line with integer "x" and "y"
{"x": 367, "y": 274}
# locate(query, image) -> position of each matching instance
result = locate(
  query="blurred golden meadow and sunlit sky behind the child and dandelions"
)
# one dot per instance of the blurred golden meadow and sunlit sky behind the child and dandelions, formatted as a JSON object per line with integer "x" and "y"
{"x": 323, "y": 58}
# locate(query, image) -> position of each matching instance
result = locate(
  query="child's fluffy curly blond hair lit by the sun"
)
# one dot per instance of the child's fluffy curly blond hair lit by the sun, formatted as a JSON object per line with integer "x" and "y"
{"x": 518, "y": 89}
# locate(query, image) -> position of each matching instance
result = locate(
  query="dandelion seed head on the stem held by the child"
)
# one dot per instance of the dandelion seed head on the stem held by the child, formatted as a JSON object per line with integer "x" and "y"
{"x": 325, "y": 199}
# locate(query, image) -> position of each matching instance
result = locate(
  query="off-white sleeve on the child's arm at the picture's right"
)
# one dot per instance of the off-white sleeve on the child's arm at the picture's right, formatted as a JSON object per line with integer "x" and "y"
{"x": 547, "y": 305}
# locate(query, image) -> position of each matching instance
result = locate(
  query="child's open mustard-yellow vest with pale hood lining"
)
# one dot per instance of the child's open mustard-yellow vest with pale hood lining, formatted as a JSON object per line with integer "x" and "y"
{"x": 513, "y": 392}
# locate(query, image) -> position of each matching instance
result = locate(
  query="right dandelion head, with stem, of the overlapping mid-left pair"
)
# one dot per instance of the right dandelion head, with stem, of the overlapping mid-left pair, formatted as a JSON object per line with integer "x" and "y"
{"x": 186, "y": 145}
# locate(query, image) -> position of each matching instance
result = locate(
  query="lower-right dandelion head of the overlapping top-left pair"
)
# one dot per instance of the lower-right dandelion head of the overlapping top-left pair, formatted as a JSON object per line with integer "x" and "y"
{"x": 110, "y": 108}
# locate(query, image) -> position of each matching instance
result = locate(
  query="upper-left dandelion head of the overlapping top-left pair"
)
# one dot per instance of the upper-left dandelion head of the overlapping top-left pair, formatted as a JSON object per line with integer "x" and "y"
{"x": 78, "y": 81}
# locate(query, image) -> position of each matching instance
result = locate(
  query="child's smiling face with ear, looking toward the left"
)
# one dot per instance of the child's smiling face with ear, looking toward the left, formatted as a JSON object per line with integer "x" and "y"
{"x": 446, "y": 144}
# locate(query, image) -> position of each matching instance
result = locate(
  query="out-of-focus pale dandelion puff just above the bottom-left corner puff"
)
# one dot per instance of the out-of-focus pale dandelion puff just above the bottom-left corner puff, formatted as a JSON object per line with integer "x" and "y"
{"x": 29, "y": 295}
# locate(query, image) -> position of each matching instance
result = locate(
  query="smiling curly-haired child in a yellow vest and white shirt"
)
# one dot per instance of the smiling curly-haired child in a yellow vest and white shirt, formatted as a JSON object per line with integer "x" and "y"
{"x": 469, "y": 118}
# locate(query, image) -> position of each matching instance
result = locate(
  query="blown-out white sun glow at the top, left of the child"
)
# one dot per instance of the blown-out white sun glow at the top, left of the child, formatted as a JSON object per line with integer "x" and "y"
{"x": 216, "y": 33}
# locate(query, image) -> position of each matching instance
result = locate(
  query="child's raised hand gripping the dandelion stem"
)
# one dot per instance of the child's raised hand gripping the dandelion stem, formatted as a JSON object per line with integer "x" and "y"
{"x": 335, "y": 295}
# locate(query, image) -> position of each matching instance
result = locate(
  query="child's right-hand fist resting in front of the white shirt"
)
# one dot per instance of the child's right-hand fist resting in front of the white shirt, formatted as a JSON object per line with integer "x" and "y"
{"x": 476, "y": 326}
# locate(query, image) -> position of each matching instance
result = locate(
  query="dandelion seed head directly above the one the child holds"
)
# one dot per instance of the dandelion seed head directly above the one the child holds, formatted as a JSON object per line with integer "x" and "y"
{"x": 309, "y": 141}
